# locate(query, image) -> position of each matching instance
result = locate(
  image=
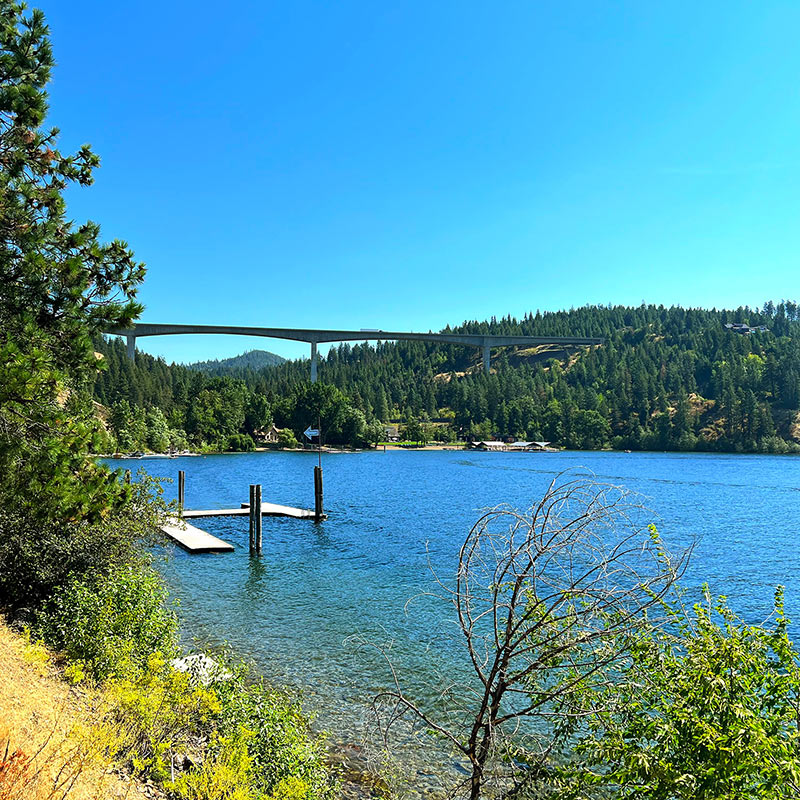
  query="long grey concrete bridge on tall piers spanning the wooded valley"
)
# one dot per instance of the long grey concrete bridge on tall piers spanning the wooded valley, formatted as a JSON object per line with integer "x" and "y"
{"x": 484, "y": 342}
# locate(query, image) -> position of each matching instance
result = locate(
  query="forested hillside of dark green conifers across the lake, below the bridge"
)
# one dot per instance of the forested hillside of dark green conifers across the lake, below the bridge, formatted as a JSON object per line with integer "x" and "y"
{"x": 664, "y": 378}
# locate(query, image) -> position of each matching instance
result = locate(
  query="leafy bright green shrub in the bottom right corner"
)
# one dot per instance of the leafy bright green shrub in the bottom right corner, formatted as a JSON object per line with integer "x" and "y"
{"x": 706, "y": 709}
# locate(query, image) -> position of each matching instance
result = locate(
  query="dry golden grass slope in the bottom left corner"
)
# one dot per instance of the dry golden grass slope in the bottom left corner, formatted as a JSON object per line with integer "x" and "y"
{"x": 49, "y": 746}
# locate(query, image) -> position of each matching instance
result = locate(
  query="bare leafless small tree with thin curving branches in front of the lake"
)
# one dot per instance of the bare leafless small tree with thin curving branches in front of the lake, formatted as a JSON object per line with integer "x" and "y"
{"x": 546, "y": 601}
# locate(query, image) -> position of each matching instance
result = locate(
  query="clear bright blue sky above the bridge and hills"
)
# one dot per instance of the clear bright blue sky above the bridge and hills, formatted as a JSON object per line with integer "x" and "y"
{"x": 408, "y": 165}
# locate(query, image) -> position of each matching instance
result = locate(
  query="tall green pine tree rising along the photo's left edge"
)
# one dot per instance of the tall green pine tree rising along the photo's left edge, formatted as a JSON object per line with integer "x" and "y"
{"x": 60, "y": 286}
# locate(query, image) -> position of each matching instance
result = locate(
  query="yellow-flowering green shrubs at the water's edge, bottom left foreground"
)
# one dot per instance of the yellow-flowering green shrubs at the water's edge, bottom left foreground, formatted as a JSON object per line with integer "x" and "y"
{"x": 259, "y": 745}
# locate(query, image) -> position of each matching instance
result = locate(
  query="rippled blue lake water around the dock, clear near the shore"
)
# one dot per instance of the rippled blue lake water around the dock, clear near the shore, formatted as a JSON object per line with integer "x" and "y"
{"x": 295, "y": 610}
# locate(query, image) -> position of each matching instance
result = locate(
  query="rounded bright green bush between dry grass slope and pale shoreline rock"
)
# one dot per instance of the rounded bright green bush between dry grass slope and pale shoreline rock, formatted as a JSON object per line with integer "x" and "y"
{"x": 112, "y": 626}
